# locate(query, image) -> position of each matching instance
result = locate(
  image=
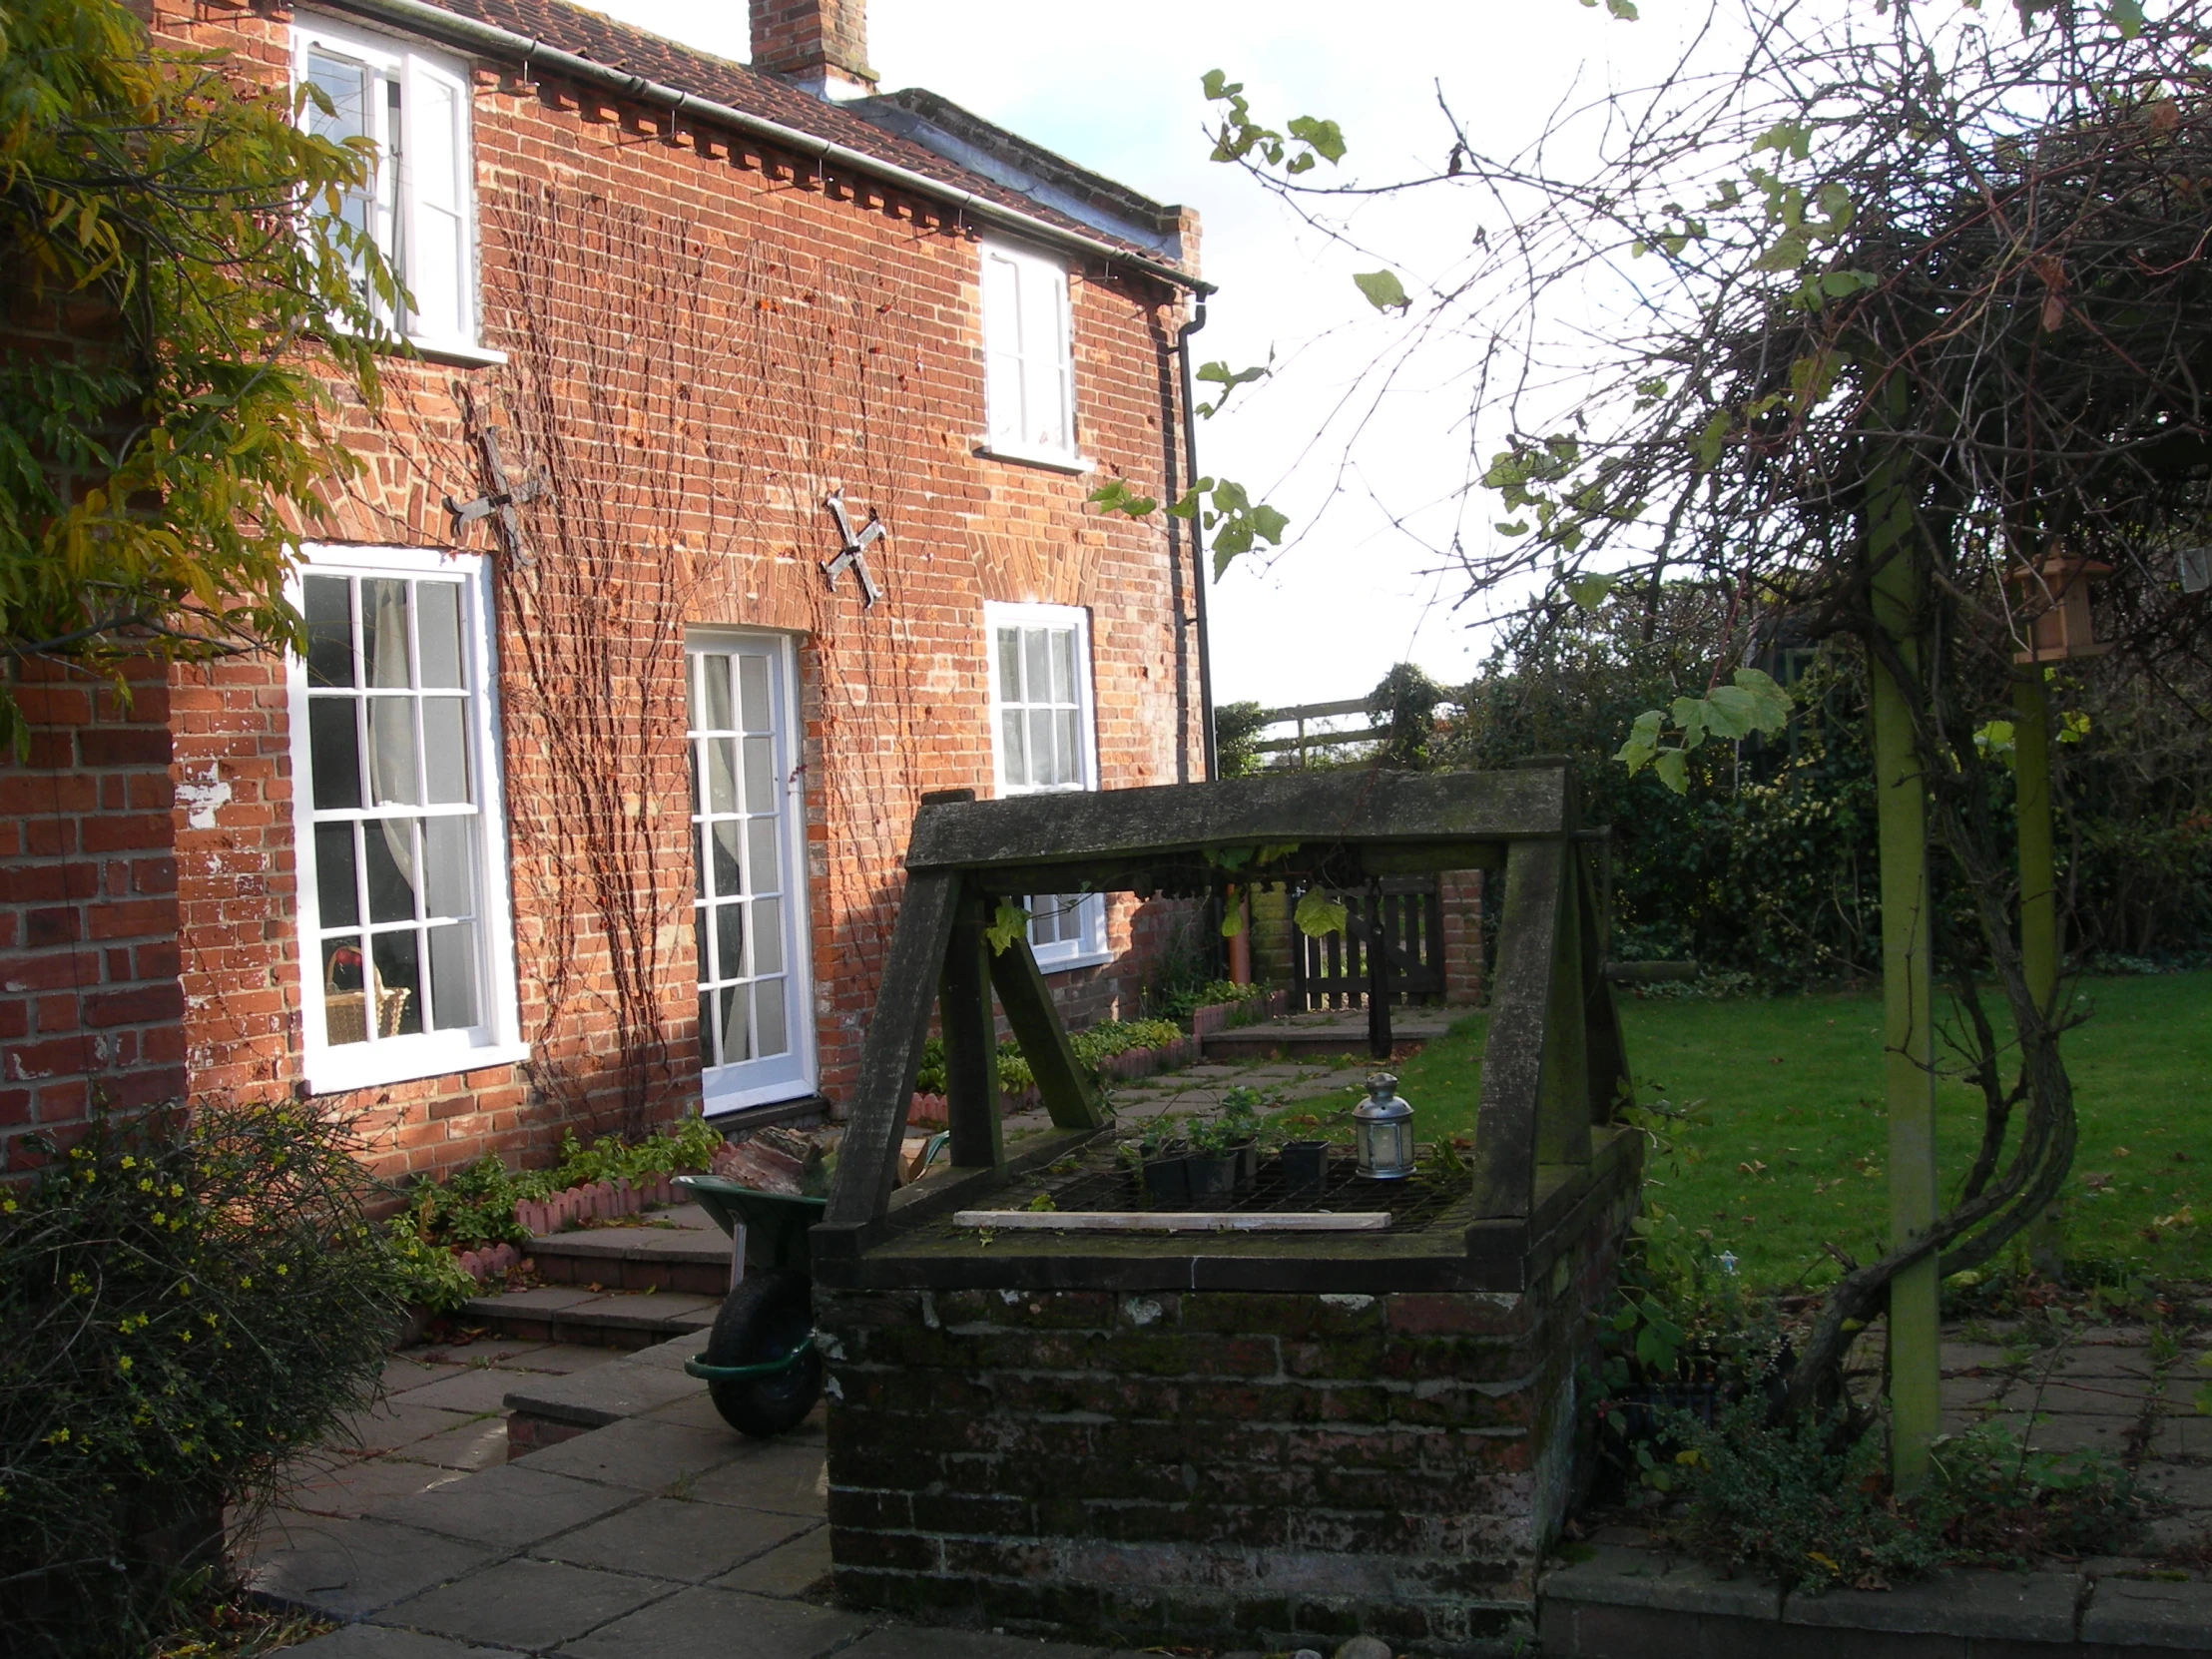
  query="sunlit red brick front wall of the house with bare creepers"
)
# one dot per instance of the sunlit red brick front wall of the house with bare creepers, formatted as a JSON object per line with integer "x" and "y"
{"x": 713, "y": 337}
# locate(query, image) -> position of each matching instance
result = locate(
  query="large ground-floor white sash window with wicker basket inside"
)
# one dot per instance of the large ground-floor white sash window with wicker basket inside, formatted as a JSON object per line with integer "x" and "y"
{"x": 408, "y": 954}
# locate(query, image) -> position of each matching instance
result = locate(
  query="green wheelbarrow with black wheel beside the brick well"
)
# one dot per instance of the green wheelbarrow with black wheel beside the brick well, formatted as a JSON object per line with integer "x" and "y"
{"x": 760, "y": 1361}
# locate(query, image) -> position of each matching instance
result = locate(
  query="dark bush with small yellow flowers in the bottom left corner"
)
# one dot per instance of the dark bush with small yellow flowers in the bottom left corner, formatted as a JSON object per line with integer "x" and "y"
{"x": 189, "y": 1306}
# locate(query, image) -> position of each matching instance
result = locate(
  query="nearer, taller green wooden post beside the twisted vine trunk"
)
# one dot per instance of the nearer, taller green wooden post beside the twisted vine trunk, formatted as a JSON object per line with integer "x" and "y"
{"x": 1908, "y": 1008}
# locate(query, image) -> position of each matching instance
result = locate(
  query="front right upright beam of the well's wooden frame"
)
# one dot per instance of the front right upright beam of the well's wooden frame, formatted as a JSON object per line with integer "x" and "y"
{"x": 1521, "y": 1030}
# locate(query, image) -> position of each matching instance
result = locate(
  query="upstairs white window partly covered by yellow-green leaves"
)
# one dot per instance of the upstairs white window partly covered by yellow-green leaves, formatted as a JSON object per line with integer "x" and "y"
{"x": 419, "y": 202}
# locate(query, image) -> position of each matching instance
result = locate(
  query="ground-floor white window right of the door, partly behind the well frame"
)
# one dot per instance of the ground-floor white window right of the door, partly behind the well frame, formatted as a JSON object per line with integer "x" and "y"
{"x": 1045, "y": 742}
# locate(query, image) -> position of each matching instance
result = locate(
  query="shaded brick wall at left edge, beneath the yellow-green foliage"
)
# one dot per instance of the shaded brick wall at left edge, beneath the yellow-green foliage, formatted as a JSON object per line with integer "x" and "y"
{"x": 90, "y": 999}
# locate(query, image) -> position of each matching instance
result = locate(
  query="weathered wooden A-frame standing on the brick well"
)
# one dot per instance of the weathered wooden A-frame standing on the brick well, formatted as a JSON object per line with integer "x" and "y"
{"x": 1554, "y": 1065}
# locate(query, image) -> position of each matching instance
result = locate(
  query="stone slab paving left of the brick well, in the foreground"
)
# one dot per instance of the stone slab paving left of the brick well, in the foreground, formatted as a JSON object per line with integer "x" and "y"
{"x": 662, "y": 1534}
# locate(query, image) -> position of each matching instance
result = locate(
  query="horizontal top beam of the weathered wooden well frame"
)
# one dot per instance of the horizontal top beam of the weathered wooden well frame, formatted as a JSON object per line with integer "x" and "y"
{"x": 1125, "y": 826}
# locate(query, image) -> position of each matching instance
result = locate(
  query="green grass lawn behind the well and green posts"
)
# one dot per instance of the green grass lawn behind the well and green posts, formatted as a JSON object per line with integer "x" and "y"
{"x": 1795, "y": 1140}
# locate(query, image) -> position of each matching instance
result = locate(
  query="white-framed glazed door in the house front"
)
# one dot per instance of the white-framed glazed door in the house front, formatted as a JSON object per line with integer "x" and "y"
{"x": 749, "y": 870}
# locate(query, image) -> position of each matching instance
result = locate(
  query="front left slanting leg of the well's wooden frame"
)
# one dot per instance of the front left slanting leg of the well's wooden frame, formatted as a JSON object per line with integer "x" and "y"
{"x": 893, "y": 1052}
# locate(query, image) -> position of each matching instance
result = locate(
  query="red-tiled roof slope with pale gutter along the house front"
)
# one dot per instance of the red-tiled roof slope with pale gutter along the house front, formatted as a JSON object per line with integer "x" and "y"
{"x": 581, "y": 45}
